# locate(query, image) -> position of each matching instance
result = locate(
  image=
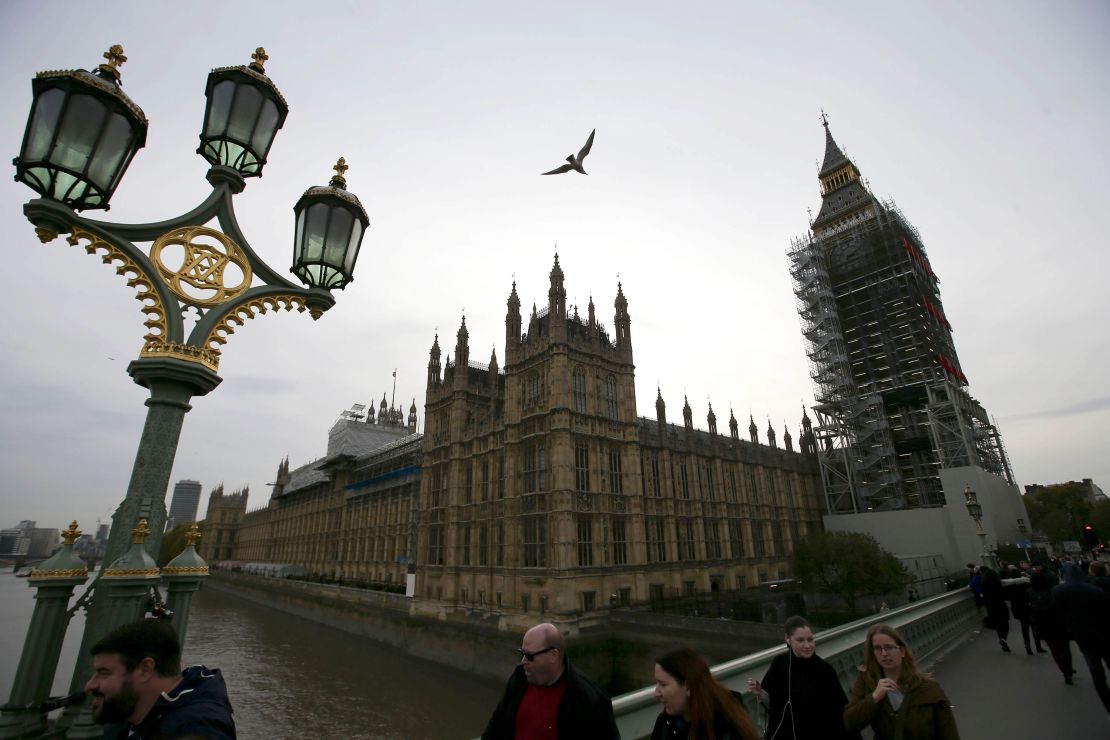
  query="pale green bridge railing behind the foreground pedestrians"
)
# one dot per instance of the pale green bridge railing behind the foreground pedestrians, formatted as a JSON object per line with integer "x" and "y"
{"x": 931, "y": 626}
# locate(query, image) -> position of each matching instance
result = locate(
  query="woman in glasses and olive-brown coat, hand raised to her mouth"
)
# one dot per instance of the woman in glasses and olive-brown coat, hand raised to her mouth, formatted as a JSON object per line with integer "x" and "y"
{"x": 894, "y": 696}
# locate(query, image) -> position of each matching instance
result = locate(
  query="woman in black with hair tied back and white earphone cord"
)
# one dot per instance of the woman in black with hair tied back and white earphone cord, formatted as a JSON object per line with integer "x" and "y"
{"x": 804, "y": 695}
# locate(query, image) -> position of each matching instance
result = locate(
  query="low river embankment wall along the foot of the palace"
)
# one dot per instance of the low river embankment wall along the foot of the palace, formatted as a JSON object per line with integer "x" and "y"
{"x": 617, "y": 647}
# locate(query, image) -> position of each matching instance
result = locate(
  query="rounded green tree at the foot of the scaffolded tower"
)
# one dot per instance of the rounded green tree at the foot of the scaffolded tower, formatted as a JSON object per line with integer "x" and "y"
{"x": 850, "y": 565}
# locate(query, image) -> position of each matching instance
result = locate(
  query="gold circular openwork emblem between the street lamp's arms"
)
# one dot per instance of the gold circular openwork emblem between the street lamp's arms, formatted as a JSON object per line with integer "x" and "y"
{"x": 201, "y": 266}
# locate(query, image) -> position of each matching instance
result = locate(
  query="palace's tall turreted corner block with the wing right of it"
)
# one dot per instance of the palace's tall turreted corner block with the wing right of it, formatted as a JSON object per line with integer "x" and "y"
{"x": 546, "y": 493}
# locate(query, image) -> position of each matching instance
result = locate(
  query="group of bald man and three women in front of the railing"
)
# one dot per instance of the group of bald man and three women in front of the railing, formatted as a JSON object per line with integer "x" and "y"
{"x": 803, "y": 694}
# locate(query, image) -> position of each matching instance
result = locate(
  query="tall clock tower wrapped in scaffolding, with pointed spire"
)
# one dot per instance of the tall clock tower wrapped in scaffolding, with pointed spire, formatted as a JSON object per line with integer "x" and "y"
{"x": 896, "y": 428}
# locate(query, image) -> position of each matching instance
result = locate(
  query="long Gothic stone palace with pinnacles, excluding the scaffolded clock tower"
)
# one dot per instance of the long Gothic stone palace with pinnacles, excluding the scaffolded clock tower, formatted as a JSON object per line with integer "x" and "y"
{"x": 537, "y": 488}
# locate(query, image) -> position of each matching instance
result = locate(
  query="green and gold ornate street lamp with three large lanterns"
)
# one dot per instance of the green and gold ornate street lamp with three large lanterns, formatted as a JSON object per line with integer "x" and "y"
{"x": 82, "y": 135}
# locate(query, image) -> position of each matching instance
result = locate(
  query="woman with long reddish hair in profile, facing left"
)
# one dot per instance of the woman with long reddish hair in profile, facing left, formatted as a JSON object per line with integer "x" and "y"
{"x": 695, "y": 705}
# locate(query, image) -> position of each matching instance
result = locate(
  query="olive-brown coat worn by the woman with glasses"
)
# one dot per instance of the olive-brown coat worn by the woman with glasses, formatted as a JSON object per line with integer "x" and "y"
{"x": 927, "y": 709}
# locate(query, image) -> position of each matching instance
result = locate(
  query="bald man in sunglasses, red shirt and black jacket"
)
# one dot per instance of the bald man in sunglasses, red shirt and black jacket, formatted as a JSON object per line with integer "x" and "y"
{"x": 548, "y": 700}
